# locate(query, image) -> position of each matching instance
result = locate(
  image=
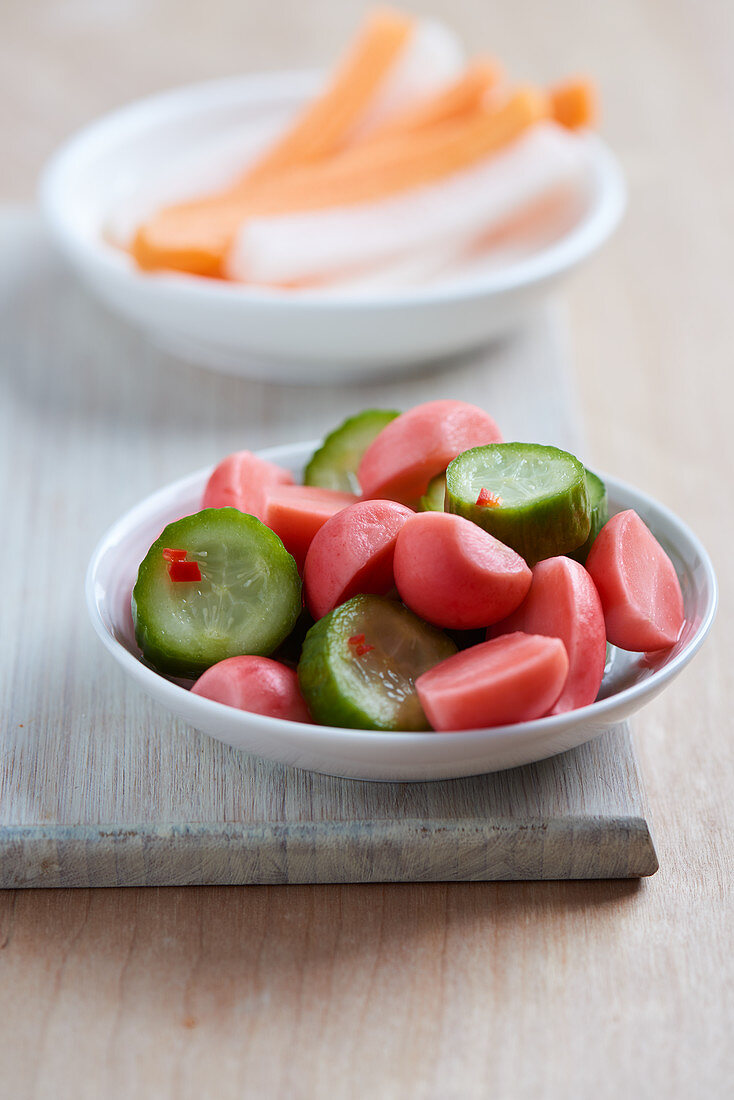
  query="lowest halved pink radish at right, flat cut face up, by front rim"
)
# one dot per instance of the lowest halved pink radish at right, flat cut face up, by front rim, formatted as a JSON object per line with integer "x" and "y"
{"x": 516, "y": 678}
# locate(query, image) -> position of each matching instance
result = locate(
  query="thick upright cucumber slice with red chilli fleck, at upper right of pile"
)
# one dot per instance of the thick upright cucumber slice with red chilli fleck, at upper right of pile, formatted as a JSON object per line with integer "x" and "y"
{"x": 544, "y": 503}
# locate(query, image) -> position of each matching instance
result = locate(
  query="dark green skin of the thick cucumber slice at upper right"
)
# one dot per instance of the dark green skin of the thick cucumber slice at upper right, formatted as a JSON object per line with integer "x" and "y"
{"x": 536, "y": 535}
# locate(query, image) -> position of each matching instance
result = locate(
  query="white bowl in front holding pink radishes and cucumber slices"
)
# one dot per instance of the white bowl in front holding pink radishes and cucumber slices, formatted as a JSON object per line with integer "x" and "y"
{"x": 631, "y": 679}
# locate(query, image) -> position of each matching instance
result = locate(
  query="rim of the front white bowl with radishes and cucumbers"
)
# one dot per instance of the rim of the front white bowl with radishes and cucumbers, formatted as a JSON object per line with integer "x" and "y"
{"x": 199, "y": 707}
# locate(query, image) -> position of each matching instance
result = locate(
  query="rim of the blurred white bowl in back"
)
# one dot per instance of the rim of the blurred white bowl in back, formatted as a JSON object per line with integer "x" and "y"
{"x": 589, "y": 233}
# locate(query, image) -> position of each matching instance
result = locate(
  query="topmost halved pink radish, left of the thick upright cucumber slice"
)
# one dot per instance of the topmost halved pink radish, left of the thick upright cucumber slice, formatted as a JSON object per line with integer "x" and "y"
{"x": 419, "y": 446}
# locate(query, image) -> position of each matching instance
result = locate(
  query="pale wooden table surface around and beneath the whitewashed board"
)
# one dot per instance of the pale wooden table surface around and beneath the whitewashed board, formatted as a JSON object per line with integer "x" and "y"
{"x": 440, "y": 992}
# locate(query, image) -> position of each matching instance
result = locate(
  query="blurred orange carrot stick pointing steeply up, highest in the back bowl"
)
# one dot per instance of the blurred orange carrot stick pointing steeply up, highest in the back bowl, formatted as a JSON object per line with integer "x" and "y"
{"x": 323, "y": 126}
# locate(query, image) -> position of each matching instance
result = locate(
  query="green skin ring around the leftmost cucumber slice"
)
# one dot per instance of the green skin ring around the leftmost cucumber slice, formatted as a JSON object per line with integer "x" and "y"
{"x": 169, "y": 661}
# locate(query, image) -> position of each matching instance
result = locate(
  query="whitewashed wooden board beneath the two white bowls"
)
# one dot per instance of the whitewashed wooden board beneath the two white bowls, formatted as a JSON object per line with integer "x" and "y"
{"x": 98, "y": 785}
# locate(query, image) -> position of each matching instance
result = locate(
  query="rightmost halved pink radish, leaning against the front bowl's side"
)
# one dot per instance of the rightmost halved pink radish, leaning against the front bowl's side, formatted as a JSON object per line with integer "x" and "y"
{"x": 638, "y": 584}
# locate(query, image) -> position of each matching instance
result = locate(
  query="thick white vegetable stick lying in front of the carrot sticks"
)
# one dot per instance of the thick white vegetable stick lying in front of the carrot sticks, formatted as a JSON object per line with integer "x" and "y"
{"x": 459, "y": 211}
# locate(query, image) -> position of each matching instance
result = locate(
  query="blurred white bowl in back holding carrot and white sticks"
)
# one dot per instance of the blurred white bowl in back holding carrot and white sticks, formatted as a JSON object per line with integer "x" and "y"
{"x": 280, "y": 336}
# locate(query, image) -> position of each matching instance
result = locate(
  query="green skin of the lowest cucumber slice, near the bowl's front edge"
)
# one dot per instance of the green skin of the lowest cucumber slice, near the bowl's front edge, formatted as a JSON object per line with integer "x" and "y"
{"x": 320, "y": 684}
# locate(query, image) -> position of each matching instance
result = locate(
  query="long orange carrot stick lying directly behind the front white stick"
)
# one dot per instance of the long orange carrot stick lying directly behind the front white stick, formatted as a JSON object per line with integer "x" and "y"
{"x": 196, "y": 237}
